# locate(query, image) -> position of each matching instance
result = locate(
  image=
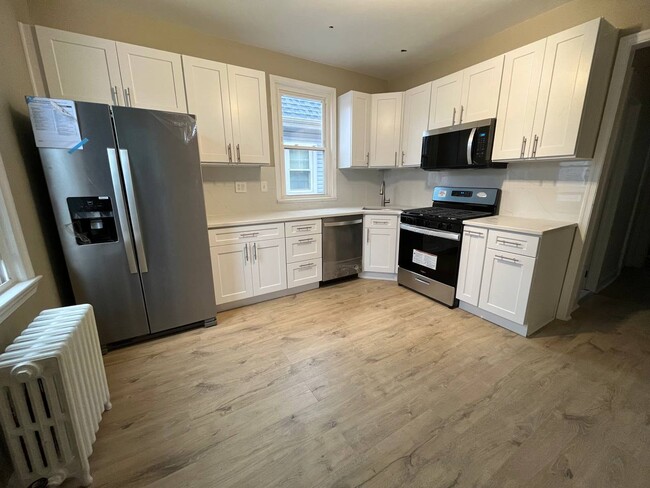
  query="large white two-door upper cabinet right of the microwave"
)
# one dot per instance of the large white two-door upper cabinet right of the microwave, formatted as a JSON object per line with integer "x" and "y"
{"x": 553, "y": 94}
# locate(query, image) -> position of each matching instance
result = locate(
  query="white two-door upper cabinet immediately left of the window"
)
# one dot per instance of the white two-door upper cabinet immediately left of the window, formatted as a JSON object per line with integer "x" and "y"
{"x": 231, "y": 111}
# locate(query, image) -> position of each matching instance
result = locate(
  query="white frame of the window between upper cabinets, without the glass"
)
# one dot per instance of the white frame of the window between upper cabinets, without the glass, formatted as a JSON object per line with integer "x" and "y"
{"x": 287, "y": 86}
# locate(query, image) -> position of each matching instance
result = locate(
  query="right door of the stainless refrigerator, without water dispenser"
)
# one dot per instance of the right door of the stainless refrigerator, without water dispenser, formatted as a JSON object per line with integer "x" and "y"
{"x": 159, "y": 156}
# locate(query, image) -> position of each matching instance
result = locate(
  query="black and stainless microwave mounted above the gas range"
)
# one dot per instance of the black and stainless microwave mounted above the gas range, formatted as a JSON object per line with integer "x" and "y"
{"x": 460, "y": 146}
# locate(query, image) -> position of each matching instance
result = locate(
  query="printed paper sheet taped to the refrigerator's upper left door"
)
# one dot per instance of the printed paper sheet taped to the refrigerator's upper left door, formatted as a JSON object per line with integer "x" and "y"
{"x": 54, "y": 122}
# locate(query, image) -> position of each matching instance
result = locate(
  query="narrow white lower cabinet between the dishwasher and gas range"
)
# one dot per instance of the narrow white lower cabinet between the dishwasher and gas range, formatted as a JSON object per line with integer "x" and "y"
{"x": 380, "y": 244}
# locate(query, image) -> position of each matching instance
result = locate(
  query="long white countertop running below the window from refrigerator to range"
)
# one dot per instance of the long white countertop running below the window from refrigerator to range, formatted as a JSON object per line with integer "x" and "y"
{"x": 289, "y": 215}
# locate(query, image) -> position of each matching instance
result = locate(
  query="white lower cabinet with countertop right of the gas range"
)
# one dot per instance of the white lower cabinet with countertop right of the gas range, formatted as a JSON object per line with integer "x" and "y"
{"x": 514, "y": 278}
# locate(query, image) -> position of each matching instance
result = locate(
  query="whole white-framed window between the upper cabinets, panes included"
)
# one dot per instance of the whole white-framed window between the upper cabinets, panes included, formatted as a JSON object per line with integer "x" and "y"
{"x": 304, "y": 116}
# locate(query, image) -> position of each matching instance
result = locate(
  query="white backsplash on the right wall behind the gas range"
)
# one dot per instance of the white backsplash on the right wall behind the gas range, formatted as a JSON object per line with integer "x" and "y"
{"x": 536, "y": 189}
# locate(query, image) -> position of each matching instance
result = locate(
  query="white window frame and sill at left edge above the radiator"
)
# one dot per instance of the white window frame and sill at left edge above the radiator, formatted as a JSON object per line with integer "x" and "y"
{"x": 22, "y": 281}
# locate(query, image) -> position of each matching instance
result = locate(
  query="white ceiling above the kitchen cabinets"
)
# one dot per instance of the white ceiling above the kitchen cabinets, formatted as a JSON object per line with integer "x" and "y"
{"x": 367, "y": 36}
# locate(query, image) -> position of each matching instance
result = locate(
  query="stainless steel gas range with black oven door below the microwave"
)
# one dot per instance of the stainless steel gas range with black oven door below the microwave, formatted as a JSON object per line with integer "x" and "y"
{"x": 430, "y": 239}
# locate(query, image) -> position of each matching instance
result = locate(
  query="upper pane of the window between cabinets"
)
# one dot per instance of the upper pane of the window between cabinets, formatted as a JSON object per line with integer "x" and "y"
{"x": 302, "y": 121}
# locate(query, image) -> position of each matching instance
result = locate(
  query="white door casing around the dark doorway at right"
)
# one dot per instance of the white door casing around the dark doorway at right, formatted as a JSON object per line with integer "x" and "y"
{"x": 596, "y": 188}
